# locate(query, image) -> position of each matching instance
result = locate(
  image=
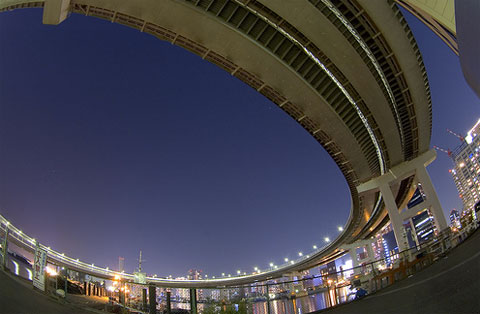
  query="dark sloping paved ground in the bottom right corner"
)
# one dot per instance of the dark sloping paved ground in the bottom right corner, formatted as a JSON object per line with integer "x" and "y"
{"x": 451, "y": 285}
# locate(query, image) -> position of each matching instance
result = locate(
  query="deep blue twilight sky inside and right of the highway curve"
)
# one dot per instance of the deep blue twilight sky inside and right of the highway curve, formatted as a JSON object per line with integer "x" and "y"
{"x": 112, "y": 141}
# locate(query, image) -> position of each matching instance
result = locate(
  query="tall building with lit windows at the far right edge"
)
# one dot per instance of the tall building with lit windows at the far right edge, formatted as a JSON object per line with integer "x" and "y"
{"x": 466, "y": 172}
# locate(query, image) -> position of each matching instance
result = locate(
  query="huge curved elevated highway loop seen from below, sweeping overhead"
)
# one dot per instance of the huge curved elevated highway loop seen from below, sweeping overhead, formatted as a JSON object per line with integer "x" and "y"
{"x": 348, "y": 71}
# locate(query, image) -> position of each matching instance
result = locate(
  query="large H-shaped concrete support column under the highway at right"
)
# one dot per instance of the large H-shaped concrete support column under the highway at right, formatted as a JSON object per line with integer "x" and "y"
{"x": 397, "y": 173}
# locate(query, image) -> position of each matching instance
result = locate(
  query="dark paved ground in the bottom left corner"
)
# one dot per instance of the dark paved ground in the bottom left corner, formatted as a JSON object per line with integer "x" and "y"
{"x": 17, "y": 297}
